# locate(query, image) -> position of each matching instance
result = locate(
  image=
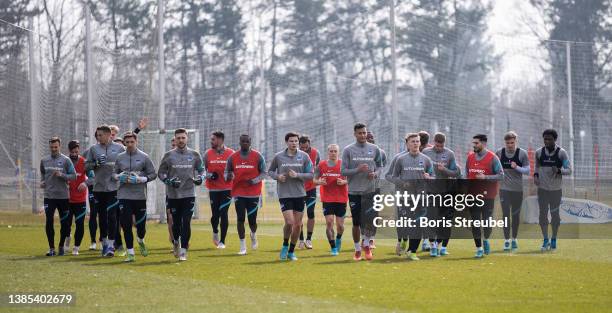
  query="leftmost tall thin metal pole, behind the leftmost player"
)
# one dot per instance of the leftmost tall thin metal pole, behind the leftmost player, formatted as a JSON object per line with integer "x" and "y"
{"x": 33, "y": 113}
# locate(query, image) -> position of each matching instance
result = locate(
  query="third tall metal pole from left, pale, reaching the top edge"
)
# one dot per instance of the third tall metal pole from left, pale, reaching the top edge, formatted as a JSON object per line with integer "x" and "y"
{"x": 162, "y": 105}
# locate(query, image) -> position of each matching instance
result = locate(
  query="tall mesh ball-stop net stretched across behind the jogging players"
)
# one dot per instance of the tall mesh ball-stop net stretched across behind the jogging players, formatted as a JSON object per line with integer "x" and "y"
{"x": 452, "y": 77}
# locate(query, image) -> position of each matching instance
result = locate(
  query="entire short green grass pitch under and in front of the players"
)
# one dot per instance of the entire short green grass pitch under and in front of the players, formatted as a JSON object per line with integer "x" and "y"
{"x": 573, "y": 279}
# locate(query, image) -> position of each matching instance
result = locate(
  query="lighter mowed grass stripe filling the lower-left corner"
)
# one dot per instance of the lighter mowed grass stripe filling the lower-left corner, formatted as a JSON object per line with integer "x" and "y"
{"x": 121, "y": 289}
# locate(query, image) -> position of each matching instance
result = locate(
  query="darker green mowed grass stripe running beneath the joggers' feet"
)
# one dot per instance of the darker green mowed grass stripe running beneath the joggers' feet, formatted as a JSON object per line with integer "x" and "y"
{"x": 573, "y": 279}
